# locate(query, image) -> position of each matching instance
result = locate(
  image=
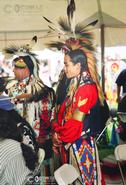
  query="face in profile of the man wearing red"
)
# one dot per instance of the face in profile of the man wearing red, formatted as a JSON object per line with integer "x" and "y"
{"x": 71, "y": 69}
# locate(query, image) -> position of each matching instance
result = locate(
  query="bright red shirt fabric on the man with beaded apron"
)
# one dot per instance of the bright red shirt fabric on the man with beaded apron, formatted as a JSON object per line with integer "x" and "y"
{"x": 84, "y": 99}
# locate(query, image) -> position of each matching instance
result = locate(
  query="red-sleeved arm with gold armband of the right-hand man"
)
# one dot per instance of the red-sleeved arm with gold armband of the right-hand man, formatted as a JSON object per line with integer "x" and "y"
{"x": 86, "y": 97}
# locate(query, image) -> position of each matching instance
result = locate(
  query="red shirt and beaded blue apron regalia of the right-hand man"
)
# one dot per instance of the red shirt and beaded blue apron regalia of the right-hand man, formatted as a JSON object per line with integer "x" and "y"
{"x": 78, "y": 146}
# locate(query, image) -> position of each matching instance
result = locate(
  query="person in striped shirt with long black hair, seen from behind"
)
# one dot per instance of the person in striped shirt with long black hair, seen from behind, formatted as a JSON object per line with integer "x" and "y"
{"x": 17, "y": 159}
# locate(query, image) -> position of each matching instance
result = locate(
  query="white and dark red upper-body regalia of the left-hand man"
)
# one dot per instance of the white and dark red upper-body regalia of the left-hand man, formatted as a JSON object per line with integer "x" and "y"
{"x": 37, "y": 109}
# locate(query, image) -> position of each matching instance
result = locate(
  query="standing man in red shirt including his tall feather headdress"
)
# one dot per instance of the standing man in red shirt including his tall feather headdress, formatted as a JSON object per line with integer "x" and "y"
{"x": 71, "y": 136}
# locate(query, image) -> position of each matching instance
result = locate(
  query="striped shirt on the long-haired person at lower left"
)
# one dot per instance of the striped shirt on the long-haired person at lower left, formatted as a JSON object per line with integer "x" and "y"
{"x": 13, "y": 168}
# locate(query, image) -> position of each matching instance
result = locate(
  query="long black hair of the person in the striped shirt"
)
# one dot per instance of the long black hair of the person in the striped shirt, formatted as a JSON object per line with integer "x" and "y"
{"x": 9, "y": 130}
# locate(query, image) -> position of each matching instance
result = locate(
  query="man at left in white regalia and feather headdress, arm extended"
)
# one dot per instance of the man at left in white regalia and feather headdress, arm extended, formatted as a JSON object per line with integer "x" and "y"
{"x": 33, "y": 99}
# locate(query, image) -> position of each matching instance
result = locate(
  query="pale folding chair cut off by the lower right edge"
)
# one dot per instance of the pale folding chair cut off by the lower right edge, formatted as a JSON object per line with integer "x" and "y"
{"x": 120, "y": 155}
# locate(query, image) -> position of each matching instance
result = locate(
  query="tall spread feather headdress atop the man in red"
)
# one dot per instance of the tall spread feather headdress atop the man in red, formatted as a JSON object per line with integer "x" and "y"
{"x": 73, "y": 36}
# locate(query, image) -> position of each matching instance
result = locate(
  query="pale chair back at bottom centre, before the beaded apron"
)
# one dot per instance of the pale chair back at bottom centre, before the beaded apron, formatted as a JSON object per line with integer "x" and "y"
{"x": 66, "y": 174}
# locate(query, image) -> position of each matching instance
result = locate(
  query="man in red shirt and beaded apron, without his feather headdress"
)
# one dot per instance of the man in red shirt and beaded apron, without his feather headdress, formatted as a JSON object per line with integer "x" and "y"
{"x": 71, "y": 138}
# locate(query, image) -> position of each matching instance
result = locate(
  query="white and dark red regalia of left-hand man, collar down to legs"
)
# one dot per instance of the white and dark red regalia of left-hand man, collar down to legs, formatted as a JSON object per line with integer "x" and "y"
{"x": 37, "y": 111}
